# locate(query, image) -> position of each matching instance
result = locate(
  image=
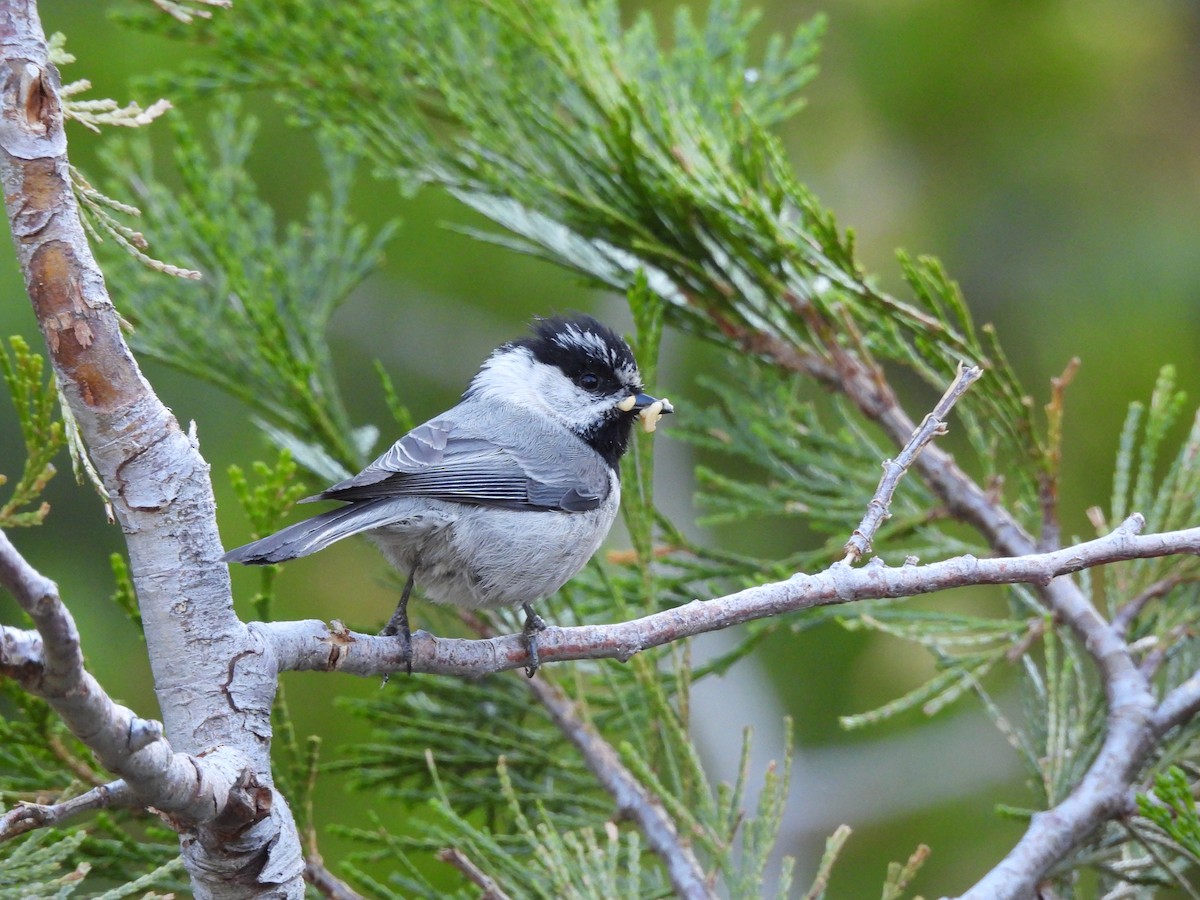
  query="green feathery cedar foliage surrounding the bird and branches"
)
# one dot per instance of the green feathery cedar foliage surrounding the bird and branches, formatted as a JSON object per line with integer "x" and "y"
{"x": 649, "y": 165}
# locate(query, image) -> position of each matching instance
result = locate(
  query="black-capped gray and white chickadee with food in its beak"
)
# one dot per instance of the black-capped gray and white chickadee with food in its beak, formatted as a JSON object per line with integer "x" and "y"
{"x": 503, "y": 499}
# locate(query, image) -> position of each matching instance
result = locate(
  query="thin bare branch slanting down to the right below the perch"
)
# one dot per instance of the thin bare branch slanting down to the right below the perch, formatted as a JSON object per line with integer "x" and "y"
{"x": 633, "y": 800}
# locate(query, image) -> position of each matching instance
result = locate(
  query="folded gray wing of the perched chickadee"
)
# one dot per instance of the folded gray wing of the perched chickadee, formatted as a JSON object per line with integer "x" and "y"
{"x": 447, "y": 460}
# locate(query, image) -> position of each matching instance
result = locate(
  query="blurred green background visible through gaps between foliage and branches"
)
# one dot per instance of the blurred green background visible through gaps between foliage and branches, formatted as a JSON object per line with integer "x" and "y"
{"x": 1048, "y": 153}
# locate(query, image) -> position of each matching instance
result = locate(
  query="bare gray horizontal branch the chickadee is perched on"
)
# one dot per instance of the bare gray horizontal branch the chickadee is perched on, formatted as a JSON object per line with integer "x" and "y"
{"x": 313, "y": 646}
